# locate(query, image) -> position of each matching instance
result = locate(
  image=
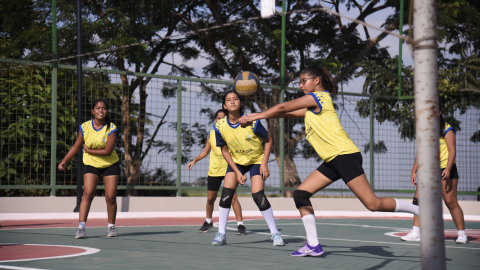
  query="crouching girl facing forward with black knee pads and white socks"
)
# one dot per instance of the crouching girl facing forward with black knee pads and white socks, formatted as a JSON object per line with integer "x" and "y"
{"x": 243, "y": 151}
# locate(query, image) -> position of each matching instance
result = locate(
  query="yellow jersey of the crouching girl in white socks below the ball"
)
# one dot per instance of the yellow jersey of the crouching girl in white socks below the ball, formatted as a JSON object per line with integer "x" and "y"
{"x": 244, "y": 144}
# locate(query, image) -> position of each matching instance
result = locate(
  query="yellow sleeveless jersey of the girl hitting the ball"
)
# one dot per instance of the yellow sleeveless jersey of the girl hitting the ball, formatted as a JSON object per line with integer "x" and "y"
{"x": 324, "y": 131}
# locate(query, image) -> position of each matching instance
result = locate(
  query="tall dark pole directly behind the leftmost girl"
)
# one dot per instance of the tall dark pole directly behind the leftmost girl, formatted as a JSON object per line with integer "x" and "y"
{"x": 79, "y": 104}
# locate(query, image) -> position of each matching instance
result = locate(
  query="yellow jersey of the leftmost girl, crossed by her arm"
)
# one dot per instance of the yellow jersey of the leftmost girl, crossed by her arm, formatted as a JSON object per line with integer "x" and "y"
{"x": 96, "y": 139}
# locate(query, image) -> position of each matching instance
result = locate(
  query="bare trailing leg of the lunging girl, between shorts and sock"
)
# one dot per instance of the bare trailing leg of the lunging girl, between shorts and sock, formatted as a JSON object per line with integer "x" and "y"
{"x": 364, "y": 192}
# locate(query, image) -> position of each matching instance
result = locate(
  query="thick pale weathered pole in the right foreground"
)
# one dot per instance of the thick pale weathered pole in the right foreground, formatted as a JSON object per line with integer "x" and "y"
{"x": 427, "y": 130}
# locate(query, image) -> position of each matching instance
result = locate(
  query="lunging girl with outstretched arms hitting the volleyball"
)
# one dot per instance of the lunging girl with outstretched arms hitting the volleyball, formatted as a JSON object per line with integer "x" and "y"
{"x": 342, "y": 159}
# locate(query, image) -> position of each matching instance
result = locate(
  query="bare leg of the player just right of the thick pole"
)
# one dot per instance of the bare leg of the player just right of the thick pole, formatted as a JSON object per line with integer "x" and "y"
{"x": 449, "y": 188}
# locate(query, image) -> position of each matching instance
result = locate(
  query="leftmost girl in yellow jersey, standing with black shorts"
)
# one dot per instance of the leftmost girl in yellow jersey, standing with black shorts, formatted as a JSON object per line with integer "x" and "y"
{"x": 97, "y": 138}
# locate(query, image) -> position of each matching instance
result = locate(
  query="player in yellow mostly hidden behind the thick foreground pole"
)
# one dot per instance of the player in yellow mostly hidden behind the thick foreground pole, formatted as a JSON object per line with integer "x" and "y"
{"x": 449, "y": 184}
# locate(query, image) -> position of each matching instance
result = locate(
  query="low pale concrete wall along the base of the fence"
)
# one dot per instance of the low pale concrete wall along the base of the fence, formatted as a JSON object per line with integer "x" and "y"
{"x": 168, "y": 204}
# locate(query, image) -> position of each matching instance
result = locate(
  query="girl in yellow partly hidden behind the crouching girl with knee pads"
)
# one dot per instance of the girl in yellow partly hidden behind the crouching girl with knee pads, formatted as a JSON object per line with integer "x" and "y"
{"x": 216, "y": 174}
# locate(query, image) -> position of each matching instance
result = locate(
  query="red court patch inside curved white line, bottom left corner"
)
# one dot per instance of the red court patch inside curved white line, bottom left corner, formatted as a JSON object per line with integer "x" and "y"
{"x": 14, "y": 252}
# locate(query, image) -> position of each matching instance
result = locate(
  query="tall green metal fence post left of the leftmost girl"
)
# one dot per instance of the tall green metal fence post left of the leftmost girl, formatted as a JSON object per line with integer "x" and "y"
{"x": 53, "y": 139}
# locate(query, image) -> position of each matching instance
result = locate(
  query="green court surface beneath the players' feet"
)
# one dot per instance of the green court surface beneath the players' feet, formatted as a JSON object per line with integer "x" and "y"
{"x": 348, "y": 244}
